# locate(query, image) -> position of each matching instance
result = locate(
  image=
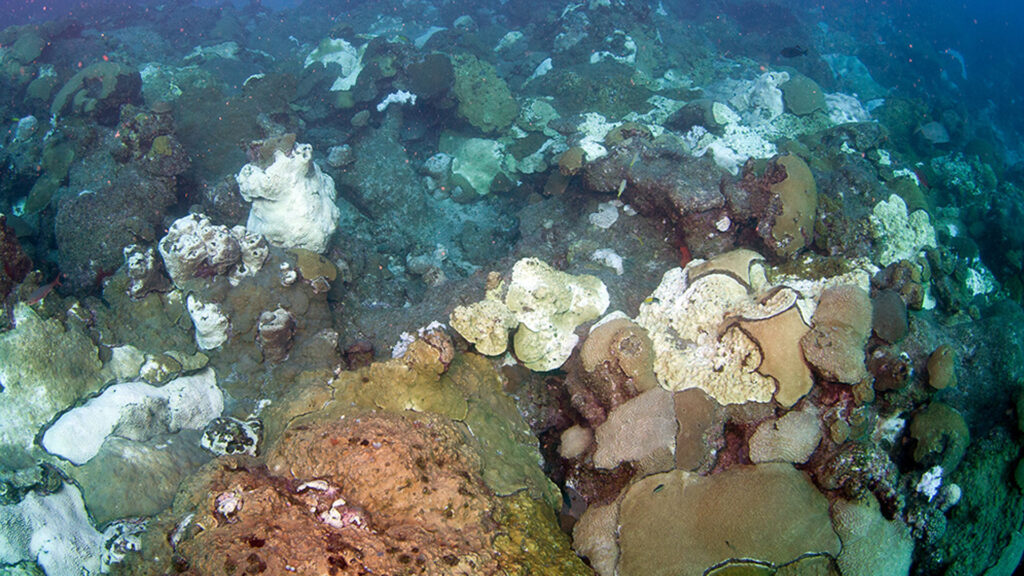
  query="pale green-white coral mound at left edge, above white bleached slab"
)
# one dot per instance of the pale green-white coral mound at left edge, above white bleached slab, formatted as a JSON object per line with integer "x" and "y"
{"x": 45, "y": 368}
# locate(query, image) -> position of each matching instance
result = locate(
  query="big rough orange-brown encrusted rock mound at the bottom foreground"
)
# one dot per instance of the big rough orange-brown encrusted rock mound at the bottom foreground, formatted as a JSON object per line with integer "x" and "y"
{"x": 378, "y": 492}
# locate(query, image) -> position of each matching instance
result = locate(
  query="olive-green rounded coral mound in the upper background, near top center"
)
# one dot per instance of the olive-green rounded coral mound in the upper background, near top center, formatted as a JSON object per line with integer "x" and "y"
{"x": 485, "y": 99}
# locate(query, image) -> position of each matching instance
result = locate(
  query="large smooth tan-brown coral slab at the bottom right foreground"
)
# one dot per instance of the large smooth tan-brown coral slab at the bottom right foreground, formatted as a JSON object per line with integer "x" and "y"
{"x": 682, "y": 524}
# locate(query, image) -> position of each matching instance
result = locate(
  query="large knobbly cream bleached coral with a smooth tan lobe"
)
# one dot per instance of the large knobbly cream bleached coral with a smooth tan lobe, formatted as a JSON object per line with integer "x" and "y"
{"x": 723, "y": 327}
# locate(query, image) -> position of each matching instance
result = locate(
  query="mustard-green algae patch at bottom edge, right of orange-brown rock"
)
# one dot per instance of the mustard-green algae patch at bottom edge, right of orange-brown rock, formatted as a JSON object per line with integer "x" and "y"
{"x": 530, "y": 542}
